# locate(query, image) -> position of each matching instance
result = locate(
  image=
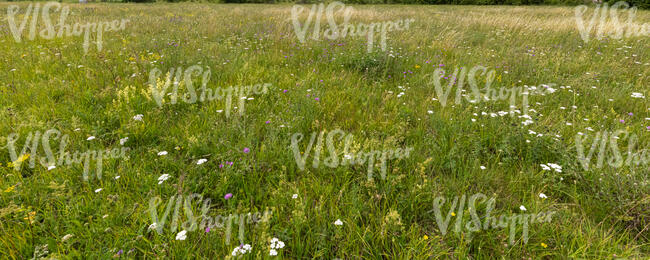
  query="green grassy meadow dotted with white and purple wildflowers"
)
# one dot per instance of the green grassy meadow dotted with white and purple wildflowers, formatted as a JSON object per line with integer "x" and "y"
{"x": 243, "y": 159}
